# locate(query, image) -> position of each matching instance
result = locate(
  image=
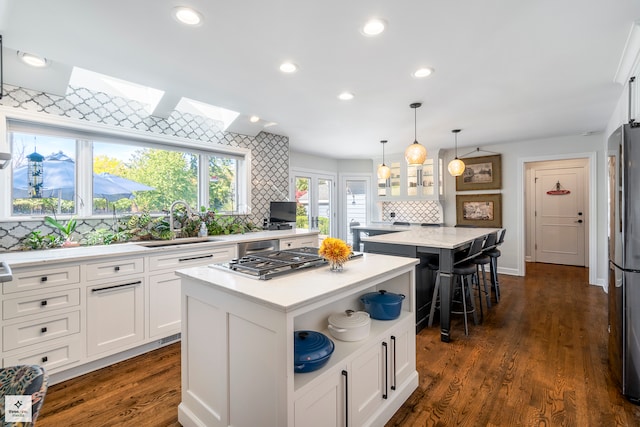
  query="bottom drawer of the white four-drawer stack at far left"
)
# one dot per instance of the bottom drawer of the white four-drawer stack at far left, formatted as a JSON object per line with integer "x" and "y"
{"x": 51, "y": 357}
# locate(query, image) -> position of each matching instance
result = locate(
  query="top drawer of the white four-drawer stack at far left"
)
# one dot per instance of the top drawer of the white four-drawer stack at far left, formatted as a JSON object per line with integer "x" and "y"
{"x": 26, "y": 280}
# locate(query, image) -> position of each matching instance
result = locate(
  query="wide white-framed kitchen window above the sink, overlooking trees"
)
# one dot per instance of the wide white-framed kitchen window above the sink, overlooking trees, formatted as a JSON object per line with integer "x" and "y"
{"x": 70, "y": 171}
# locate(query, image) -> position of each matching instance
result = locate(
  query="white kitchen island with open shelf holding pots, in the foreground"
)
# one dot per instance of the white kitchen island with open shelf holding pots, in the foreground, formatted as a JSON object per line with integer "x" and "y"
{"x": 237, "y": 347}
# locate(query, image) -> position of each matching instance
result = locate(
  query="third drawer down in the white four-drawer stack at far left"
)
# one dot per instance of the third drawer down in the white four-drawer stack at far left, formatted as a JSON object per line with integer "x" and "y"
{"x": 40, "y": 330}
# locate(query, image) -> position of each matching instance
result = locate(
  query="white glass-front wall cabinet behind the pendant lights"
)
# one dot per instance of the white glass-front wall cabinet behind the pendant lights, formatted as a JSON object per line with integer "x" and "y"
{"x": 409, "y": 182}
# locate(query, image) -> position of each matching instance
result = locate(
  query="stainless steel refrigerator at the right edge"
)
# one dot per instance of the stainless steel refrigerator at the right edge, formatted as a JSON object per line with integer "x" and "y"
{"x": 624, "y": 259}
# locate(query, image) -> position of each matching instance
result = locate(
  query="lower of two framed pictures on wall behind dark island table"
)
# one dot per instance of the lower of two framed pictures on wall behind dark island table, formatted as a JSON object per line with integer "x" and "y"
{"x": 479, "y": 210}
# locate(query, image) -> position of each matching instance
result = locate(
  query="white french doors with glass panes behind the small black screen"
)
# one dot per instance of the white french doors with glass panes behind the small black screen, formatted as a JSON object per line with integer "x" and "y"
{"x": 316, "y": 201}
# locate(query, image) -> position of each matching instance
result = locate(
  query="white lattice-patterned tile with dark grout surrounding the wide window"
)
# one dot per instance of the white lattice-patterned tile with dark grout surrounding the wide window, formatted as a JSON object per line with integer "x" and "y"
{"x": 270, "y": 152}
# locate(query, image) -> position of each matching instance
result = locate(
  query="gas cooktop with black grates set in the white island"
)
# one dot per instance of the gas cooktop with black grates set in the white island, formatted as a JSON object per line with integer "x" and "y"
{"x": 268, "y": 264}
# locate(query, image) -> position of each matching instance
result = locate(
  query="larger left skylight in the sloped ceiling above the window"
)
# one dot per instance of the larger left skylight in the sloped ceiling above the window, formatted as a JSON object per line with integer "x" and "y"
{"x": 115, "y": 87}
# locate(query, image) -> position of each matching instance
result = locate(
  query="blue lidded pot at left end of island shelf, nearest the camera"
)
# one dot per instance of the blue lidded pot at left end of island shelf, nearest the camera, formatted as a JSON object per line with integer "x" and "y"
{"x": 311, "y": 349}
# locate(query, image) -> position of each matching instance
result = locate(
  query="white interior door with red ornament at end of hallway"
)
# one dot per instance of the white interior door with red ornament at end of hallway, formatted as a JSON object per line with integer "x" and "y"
{"x": 560, "y": 218}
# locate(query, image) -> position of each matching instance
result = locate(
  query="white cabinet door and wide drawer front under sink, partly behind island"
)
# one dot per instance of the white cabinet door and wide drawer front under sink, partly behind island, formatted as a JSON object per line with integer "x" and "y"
{"x": 164, "y": 287}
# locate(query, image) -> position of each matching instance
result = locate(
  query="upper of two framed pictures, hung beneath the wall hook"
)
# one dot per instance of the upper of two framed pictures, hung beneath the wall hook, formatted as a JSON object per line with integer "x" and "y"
{"x": 481, "y": 173}
